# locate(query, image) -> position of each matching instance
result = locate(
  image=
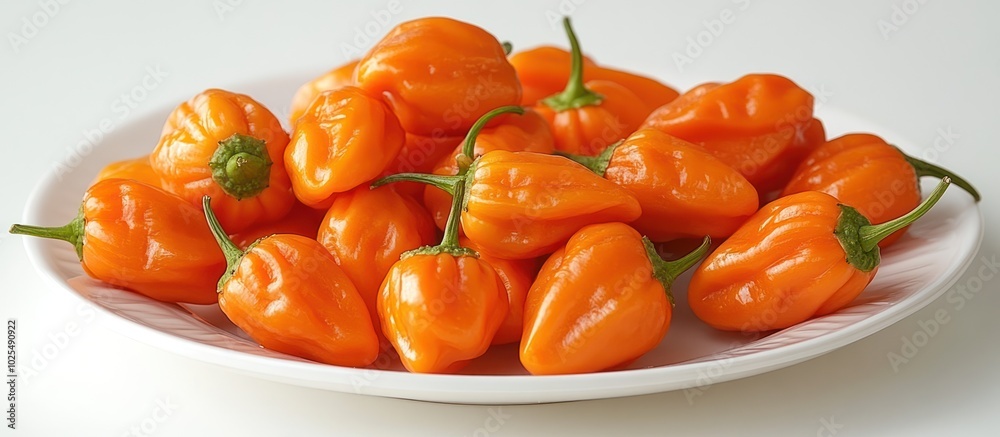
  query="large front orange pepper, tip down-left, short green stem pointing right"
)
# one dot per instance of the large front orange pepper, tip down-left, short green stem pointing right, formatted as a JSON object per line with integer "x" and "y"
{"x": 601, "y": 301}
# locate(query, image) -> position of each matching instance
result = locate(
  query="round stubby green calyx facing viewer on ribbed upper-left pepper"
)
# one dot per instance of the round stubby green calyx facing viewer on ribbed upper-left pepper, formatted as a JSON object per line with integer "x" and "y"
{"x": 241, "y": 166}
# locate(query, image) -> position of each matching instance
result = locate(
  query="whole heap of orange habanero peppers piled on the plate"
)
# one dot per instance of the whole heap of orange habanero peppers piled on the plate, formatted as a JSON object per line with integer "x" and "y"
{"x": 442, "y": 195}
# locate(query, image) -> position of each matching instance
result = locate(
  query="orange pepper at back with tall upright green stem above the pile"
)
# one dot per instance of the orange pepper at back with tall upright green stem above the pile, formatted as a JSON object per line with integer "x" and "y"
{"x": 586, "y": 118}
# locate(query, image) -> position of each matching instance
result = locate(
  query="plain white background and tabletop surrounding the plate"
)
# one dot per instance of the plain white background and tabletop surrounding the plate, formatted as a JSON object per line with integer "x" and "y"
{"x": 933, "y": 81}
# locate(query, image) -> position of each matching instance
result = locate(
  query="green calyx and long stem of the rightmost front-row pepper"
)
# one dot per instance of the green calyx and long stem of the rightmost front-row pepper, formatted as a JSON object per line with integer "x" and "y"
{"x": 860, "y": 238}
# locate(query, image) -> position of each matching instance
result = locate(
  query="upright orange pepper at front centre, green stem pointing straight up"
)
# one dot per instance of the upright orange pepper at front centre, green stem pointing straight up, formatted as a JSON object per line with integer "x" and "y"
{"x": 441, "y": 306}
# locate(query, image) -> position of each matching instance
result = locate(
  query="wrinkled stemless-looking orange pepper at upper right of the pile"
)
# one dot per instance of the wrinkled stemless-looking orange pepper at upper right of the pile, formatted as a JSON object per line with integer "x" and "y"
{"x": 761, "y": 125}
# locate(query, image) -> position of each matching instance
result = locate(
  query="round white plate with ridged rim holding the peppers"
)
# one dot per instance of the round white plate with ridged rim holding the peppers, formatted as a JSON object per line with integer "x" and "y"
{"x": 915, "y": 271}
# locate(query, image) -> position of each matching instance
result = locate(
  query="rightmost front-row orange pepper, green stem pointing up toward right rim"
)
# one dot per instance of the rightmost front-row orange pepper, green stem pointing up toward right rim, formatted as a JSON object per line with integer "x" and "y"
{"x": 801, "y": 256}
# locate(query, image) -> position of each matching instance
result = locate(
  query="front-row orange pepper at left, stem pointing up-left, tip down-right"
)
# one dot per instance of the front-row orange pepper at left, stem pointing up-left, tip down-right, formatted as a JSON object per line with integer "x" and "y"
{"x": 286, "y": 292}
